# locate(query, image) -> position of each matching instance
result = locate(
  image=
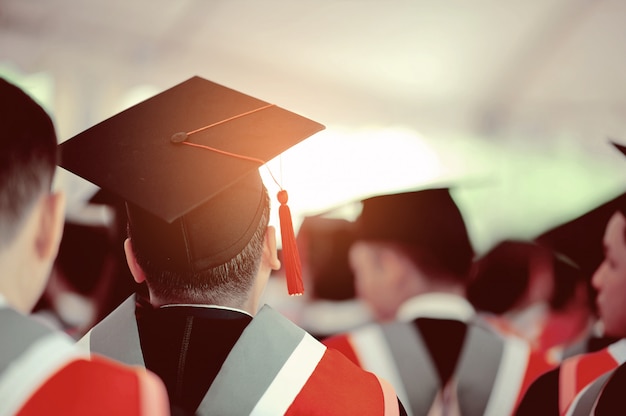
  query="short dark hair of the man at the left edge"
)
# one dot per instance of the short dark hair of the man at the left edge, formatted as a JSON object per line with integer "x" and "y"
{"x": 28, "y": 156}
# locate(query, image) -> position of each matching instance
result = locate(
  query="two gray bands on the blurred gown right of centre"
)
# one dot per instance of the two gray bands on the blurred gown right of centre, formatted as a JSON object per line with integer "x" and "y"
{"x": 475, "y": 375}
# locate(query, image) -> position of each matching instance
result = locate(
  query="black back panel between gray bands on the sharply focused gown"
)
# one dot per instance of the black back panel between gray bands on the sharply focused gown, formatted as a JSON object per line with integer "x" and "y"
{"x": 186, "y": 346}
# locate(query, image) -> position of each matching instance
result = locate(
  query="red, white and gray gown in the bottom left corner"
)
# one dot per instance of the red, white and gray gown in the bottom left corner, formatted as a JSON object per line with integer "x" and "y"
{"x": 42, "y": 373}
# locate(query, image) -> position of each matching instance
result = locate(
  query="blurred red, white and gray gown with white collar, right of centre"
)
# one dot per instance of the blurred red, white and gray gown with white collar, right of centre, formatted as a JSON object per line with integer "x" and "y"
{"x": 437, "y": 355}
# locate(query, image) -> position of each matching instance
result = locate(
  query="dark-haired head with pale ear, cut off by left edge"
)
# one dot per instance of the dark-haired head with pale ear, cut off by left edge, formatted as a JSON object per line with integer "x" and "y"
{"x": 31, "y": 216}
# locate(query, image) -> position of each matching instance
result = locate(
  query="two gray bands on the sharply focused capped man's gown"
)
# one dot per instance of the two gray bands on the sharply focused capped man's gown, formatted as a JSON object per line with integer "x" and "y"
{"x": 256, "y": 358}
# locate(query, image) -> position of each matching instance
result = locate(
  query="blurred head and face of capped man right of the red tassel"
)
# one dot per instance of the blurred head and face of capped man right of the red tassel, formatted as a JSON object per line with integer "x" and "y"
{"x": 409, "y": 244}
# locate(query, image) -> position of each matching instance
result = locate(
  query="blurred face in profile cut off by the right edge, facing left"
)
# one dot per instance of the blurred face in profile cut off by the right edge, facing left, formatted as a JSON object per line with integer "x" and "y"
{"x": 610, "y": 278}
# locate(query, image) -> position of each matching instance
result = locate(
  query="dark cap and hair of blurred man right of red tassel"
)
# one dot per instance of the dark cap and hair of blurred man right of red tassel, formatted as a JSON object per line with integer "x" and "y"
{"x": 427, "y": 224}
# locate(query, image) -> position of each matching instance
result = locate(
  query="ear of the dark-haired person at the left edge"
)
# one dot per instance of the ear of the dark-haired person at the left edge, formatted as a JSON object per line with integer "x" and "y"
{"x": 50, "y": 229}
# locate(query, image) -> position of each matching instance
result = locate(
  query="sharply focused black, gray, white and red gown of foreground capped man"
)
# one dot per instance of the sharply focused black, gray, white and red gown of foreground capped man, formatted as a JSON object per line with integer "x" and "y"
{"x": 224, "y": 362}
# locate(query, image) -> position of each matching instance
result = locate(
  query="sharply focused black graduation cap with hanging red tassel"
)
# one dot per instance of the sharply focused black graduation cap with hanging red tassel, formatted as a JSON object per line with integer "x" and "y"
{"x": 186, "y": 163}
